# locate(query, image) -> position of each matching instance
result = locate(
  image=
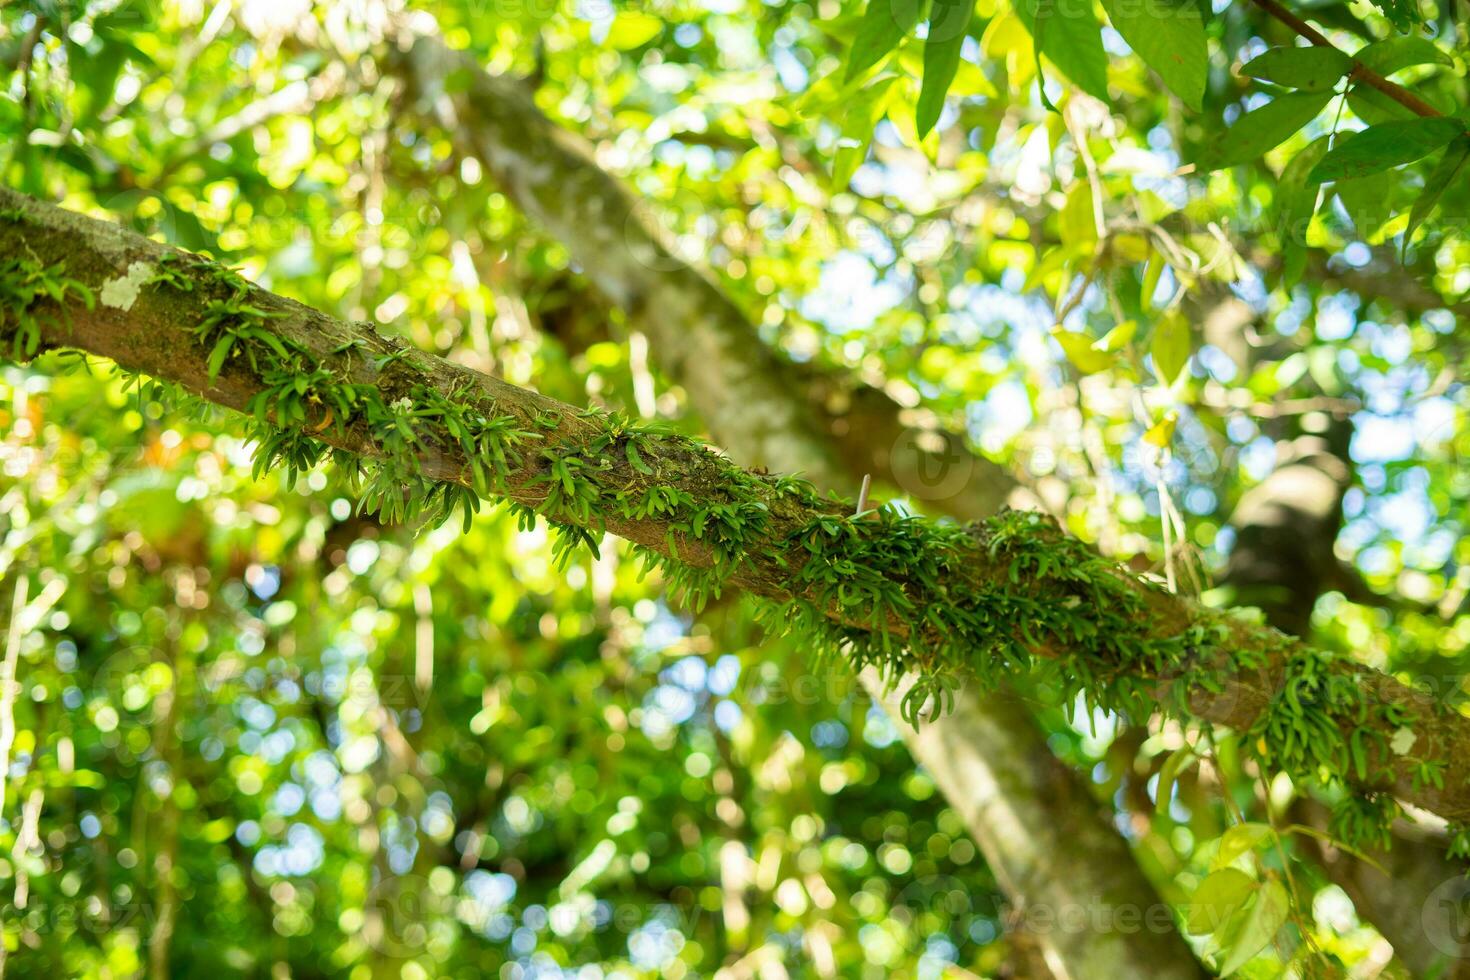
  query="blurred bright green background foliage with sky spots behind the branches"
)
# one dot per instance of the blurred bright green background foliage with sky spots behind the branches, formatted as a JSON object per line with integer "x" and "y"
{"x": 258, "y": 735}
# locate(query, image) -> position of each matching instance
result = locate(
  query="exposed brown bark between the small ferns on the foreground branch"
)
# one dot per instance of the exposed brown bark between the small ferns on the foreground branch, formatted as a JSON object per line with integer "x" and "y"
{"x": 152, "y": 330}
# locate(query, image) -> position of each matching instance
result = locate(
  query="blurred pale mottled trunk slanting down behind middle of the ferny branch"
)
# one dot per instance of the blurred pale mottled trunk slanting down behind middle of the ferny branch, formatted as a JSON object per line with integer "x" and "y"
{"x": 1033, "y": 816}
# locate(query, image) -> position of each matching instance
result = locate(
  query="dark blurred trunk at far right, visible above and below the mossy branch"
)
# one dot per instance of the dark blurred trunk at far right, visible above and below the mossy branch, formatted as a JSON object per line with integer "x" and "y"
{"x": 1283, "y": 562}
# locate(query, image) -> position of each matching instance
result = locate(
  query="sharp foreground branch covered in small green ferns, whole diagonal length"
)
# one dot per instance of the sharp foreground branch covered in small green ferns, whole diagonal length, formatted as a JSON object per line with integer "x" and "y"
{"x": 899, "y": 594}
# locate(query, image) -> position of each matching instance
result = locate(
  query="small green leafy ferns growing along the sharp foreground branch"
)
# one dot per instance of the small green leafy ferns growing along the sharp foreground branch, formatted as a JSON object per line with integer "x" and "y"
{"x": 874, "y": 591}
